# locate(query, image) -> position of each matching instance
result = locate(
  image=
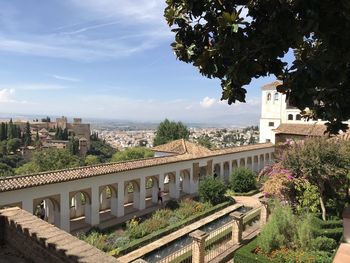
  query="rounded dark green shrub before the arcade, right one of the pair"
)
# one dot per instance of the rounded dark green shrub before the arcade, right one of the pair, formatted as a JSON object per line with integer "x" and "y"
{"x": 243, "y": 180}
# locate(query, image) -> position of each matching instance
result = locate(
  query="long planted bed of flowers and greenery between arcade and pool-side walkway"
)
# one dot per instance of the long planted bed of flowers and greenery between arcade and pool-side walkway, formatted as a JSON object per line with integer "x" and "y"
{"x": 162, "y": 222}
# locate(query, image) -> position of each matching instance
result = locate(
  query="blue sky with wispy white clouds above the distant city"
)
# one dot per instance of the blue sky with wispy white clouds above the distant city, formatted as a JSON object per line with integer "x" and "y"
{"x": 106, "y": 59}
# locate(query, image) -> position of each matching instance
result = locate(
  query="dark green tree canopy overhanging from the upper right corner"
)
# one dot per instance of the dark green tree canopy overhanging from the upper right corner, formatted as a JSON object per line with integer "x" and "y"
{"x": 238, "y": 40}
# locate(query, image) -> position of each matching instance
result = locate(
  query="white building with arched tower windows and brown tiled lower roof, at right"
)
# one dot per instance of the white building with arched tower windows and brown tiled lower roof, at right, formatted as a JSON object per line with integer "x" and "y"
{"x": 280, "y": 121}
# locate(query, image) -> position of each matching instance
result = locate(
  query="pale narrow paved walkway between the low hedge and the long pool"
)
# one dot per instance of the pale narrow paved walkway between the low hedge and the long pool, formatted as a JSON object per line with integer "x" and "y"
{"x": 175, "y": 235}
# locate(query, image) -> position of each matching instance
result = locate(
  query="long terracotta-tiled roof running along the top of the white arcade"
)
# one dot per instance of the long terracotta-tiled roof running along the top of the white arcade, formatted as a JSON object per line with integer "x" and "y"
{"x": 51, "y": 177}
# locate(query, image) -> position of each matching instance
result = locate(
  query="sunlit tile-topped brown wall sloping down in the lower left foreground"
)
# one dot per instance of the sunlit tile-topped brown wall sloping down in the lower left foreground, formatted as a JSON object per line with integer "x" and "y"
{"x": 38, "y": 241}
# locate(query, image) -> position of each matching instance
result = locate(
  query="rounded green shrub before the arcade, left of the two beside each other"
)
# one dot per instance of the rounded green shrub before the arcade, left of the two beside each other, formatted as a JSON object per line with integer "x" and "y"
{"x": 212, "y": 190}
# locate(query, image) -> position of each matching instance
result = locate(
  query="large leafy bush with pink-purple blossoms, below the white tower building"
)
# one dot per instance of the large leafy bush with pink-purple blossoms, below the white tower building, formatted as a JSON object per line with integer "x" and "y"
{"x": 316, "y": 168}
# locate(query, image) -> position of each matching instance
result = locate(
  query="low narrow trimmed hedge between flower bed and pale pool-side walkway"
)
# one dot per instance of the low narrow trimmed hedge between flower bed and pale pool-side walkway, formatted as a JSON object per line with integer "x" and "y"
{"x": 135, "y": 244}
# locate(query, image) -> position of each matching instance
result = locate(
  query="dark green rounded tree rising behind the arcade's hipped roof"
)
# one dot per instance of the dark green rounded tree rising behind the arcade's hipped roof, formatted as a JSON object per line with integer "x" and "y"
{"x": 169, "y": 130}
